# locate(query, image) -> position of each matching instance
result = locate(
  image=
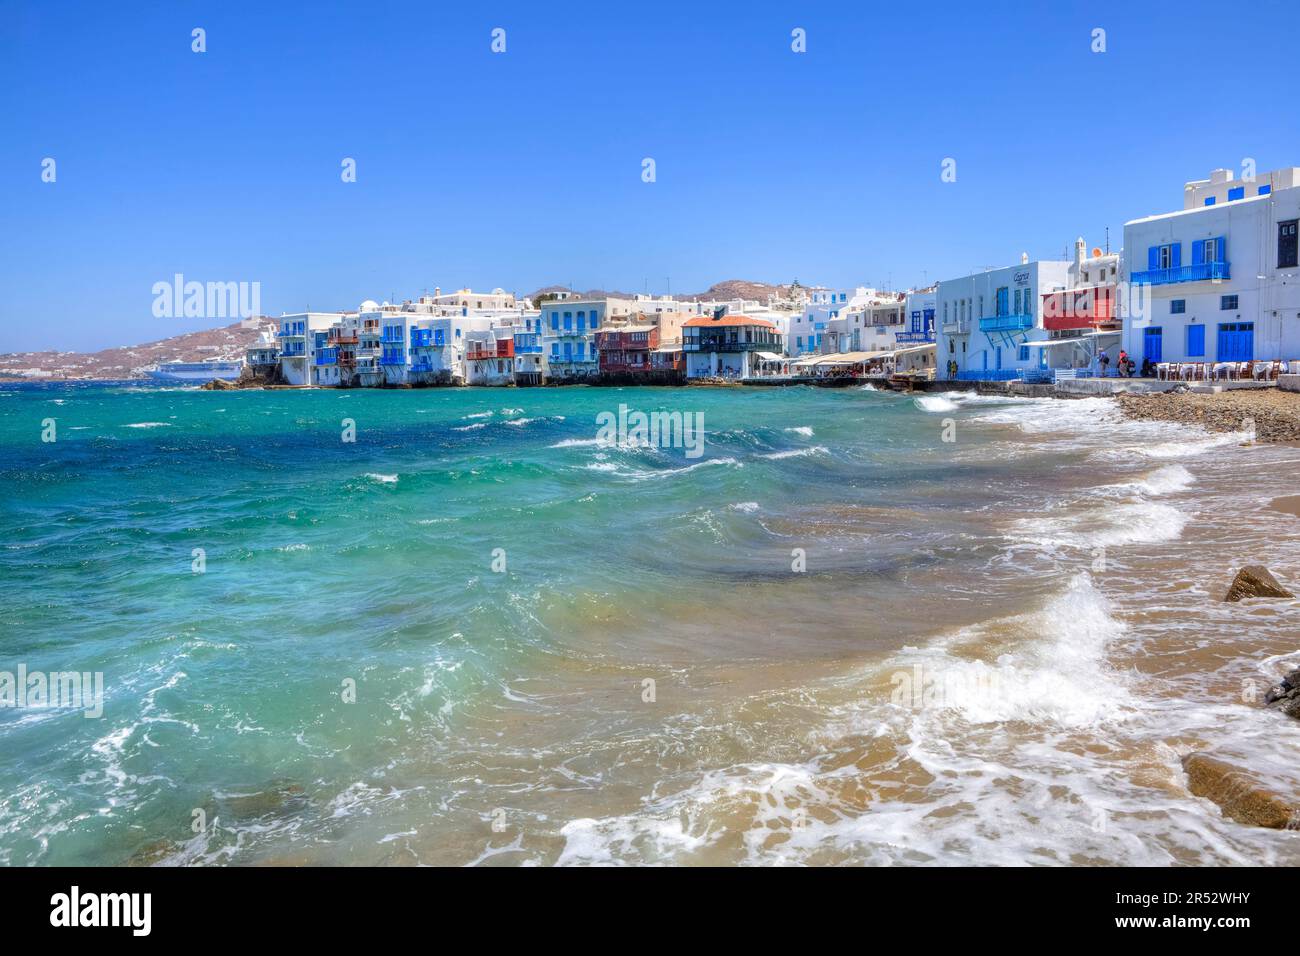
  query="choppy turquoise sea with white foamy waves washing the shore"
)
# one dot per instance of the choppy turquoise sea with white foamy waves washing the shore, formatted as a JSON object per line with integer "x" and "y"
{"x": 480, "y": 635}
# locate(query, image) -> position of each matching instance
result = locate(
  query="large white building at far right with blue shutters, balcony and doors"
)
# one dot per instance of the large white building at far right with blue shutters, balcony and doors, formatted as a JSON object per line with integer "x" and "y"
{"x": 1219, "y": 280}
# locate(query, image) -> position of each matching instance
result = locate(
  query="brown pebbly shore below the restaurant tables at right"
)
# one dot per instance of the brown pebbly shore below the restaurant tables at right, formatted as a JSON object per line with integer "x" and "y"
{"x": 1275, "y": 413}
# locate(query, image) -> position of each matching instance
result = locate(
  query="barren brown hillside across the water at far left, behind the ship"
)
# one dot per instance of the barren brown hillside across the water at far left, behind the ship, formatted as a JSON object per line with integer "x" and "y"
{"x": 128, "y": 362}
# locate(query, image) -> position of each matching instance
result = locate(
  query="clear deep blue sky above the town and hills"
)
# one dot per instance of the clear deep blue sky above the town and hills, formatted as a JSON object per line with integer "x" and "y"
{"x": 525, "y": 170}
